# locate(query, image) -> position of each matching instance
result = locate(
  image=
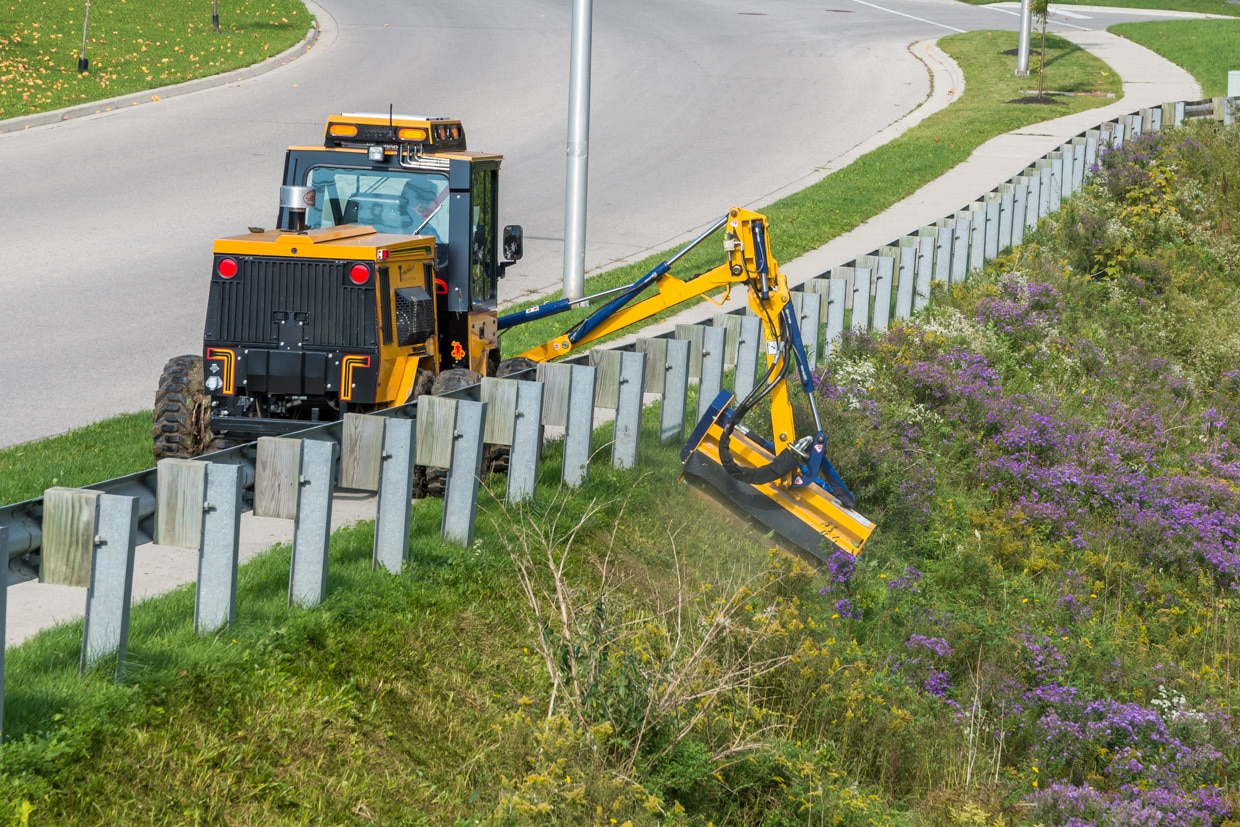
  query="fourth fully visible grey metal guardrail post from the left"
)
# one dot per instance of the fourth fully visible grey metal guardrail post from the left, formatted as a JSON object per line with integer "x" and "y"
{"x": 394, "y": 510}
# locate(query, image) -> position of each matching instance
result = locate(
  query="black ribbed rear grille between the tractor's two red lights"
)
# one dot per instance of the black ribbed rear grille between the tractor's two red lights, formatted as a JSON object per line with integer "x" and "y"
{"x": 250, "y": 308}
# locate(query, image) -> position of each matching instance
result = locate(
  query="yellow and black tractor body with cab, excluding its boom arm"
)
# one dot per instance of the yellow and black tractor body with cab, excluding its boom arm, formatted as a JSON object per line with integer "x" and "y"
{"x": 379, "y": 281}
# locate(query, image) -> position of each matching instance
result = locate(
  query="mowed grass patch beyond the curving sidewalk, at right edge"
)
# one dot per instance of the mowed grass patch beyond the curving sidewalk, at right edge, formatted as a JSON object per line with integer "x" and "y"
{"x": 1207, "y": 49}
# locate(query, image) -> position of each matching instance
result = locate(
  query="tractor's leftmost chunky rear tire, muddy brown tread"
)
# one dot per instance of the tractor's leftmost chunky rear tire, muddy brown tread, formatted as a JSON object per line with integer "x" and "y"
{"x": 183, "y": 412}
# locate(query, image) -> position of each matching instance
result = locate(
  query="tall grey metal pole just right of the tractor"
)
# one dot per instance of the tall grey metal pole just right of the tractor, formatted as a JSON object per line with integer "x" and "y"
{"x": 578, "y": 151}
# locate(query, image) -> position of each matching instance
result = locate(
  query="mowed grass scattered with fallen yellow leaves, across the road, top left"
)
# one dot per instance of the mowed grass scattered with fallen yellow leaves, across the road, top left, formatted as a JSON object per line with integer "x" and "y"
{"x": 132, "y": 46}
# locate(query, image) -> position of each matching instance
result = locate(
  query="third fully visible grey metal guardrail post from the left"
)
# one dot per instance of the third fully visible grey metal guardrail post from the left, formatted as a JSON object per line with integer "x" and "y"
{"x": 312, "y": 534}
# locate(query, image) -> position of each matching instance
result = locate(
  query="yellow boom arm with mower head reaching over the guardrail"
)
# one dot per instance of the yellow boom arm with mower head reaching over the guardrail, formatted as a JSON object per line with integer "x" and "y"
{"x": 788, "y": 484}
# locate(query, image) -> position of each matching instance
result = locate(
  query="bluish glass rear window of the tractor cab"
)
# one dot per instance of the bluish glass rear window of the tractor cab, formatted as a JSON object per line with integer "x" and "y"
{"x": 391, "y": 201}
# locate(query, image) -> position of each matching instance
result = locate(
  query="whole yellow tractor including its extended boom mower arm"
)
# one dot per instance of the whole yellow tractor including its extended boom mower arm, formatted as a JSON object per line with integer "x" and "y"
{"x": 380, "y": 285}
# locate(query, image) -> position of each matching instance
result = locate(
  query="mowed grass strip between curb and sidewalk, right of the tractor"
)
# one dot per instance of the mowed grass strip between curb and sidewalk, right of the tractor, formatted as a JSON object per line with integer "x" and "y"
{"x": 872, "y": 184}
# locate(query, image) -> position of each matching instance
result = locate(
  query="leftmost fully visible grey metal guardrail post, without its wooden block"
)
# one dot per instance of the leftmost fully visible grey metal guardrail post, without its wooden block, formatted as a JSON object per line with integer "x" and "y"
{"x": 106, "y": 630}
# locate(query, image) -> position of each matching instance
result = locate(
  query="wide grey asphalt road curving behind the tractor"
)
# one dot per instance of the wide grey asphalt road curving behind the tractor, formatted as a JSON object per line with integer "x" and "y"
{"x": 696, "y": 106}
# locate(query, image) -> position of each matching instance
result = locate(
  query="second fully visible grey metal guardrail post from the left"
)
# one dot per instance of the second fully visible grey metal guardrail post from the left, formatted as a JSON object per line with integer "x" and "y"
{"x": 216, "y": 596}
